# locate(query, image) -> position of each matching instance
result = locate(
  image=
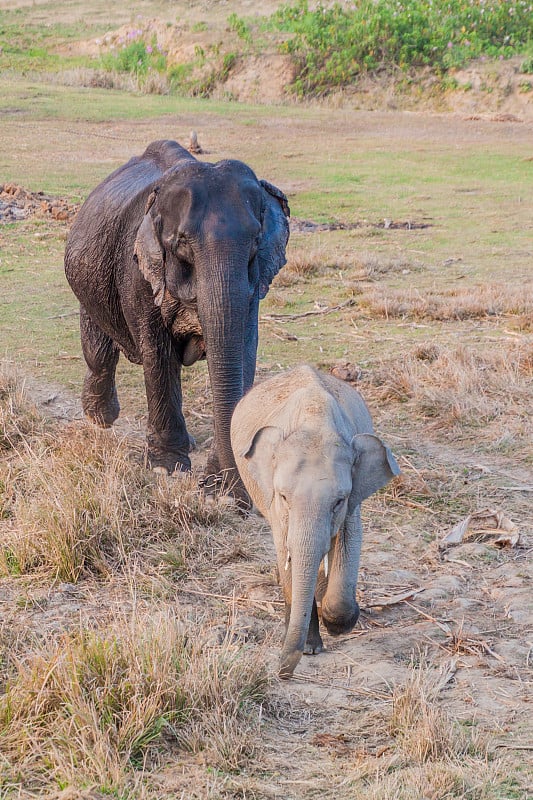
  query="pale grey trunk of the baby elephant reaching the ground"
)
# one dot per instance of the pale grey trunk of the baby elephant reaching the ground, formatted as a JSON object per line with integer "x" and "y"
{"x": 305, "y": 557}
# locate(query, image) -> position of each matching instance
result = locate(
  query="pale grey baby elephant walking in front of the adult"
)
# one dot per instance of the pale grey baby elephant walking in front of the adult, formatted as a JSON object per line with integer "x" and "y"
{"x": 306, "y": 452}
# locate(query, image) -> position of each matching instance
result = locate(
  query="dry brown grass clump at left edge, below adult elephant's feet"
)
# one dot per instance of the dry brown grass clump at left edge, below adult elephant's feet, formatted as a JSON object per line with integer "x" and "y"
{"x": 80, "y": 505}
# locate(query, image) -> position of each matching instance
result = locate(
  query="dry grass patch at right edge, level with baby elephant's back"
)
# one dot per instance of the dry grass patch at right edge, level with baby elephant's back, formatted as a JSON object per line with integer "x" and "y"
{"x": 462, "y": 386}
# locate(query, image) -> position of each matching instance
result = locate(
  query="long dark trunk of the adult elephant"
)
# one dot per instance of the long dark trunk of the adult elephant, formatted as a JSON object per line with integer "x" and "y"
{"x": 223, "y": 307}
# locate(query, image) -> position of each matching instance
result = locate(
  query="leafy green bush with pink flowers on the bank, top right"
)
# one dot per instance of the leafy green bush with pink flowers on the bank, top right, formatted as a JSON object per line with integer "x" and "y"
{"x": 334, "y": 44}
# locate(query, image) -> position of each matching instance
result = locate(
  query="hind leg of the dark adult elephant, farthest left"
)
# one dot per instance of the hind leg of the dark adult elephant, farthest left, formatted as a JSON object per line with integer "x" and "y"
{"x": 99, "y": 394}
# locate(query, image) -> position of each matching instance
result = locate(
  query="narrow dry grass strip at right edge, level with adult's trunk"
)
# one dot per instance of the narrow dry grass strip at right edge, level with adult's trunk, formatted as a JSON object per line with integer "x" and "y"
{"x": 458, "y": 303}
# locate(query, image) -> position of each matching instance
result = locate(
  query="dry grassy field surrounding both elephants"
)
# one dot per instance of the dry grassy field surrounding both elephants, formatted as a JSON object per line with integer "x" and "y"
{"x": 140, "y": 627}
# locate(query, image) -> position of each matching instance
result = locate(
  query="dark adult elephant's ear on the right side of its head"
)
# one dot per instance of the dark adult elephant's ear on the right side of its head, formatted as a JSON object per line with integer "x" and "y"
{"x": 275, "y": 235}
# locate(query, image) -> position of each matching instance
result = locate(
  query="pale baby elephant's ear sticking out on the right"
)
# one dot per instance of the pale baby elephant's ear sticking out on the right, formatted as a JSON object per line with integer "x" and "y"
{"x": 372, "y": 468}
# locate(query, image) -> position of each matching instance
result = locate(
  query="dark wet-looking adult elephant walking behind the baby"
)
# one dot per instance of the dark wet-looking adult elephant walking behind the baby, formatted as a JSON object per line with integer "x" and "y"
{"x": 169, "y": 257}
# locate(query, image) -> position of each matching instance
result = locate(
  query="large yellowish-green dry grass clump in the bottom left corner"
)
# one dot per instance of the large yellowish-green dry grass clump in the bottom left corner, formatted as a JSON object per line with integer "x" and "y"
{"x": 87, "y": 708}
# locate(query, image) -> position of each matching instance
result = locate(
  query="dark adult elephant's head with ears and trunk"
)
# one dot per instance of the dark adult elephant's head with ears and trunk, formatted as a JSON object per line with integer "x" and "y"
{"x": 211, "y": 240}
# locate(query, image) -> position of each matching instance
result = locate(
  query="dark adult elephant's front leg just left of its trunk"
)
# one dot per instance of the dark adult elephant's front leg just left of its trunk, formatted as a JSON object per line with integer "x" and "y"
{"x": 168, "y": 442}
